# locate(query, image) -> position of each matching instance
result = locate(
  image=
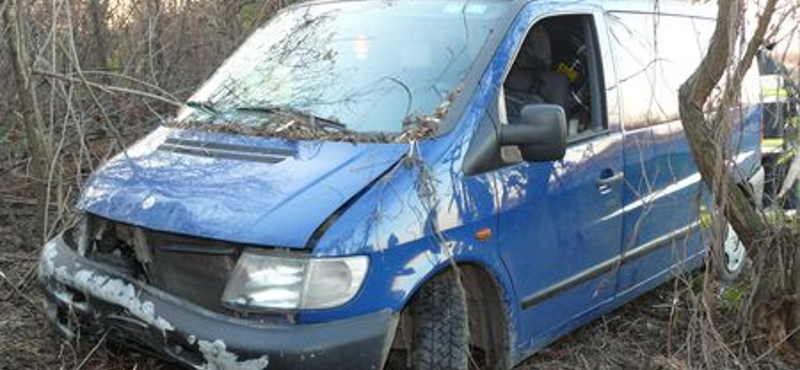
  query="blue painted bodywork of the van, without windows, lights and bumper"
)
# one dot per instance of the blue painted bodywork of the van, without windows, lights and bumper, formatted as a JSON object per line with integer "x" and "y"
{"x": 549, "y": 221}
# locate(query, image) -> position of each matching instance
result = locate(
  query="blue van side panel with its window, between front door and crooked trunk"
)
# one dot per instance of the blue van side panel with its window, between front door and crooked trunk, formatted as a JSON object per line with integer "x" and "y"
{"x": 663, "y": 193}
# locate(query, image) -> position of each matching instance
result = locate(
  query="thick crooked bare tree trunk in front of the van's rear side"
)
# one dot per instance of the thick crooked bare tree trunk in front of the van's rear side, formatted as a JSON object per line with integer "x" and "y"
{"x": 707, "y": 141}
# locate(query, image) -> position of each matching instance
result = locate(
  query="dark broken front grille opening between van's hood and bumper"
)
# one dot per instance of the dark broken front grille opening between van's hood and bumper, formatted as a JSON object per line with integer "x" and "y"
{"x": 191, "y": 268}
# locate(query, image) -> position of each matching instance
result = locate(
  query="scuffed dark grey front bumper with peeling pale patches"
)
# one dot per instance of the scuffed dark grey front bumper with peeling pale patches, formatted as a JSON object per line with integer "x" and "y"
{"x": 86, "y": 297}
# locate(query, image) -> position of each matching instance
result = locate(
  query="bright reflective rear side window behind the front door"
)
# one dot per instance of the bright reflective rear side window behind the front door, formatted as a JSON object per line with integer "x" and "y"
{"x": 654, "y": 54}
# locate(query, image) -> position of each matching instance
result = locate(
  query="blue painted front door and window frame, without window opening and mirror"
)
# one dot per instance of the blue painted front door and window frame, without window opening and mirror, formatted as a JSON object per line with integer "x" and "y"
{"x": 560, "y": 232}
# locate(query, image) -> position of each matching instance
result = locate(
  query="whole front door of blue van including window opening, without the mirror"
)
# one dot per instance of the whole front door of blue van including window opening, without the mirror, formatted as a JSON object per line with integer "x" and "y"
{"x": 561, "y": 222}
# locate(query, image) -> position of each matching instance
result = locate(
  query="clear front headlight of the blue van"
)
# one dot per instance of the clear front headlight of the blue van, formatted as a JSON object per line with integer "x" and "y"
{"x": 262, "y": 281}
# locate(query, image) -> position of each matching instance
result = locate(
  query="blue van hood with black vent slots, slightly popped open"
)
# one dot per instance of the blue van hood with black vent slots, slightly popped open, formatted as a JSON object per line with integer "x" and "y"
{"x": 251, "y": 190}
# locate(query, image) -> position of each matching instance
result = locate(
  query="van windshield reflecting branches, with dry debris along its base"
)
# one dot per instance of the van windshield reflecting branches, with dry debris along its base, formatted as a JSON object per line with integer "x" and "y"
{"x": 365, "y": 65}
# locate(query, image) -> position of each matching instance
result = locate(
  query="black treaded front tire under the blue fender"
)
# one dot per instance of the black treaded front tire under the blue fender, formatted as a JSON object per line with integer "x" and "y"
{"x": 440, "y": 326}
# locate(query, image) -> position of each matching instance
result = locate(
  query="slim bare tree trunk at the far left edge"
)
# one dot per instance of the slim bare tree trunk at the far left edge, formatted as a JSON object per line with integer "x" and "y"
{"x": 38, "y": 148}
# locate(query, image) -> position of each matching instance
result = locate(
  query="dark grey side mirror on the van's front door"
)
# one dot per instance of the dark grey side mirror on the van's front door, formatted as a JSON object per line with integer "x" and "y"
{"x": 541, "y": 134}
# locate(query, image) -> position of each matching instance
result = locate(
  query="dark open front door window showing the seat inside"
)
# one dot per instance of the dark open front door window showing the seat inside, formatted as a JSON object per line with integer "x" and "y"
{"x": 558, "y": 64}
